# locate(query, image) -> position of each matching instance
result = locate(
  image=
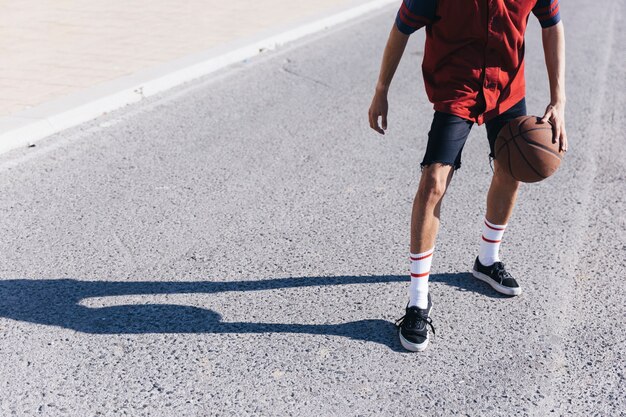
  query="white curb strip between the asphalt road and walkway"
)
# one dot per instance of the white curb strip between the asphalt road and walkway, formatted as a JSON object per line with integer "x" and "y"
{"x": 26, "y": 127}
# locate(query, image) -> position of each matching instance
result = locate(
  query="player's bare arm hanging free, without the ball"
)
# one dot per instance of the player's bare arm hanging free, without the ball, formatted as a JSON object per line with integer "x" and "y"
{"x": 391, "y": 58}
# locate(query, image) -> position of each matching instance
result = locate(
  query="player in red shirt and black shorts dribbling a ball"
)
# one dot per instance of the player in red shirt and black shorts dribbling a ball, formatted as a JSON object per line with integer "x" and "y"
{"x": 473, "y": 72}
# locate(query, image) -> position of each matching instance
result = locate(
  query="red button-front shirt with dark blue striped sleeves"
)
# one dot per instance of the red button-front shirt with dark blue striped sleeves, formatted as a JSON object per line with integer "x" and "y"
{"x": 474, "y": 55}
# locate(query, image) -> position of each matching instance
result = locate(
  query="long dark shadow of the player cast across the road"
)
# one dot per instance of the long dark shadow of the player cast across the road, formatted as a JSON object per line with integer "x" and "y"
{"x": 57, "y": 302}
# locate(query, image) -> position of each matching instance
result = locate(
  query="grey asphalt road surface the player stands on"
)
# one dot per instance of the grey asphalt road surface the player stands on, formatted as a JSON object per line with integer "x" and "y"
{"x": 239, "y": 246}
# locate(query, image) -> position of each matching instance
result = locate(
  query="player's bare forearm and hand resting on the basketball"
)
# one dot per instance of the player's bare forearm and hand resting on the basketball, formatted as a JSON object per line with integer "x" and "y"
{"x": 553, "y": 38}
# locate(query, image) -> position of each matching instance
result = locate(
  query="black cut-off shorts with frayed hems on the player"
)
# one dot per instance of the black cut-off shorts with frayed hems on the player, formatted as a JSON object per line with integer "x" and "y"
{"x": 448, "y": 134}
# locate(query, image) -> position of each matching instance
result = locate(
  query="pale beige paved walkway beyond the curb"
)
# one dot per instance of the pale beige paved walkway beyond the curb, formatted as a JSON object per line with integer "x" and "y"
{"x": 51, "y": 49}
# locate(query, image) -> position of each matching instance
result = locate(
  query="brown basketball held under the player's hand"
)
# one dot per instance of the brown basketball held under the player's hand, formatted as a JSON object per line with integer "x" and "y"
{"x": 524, "y": 148}
